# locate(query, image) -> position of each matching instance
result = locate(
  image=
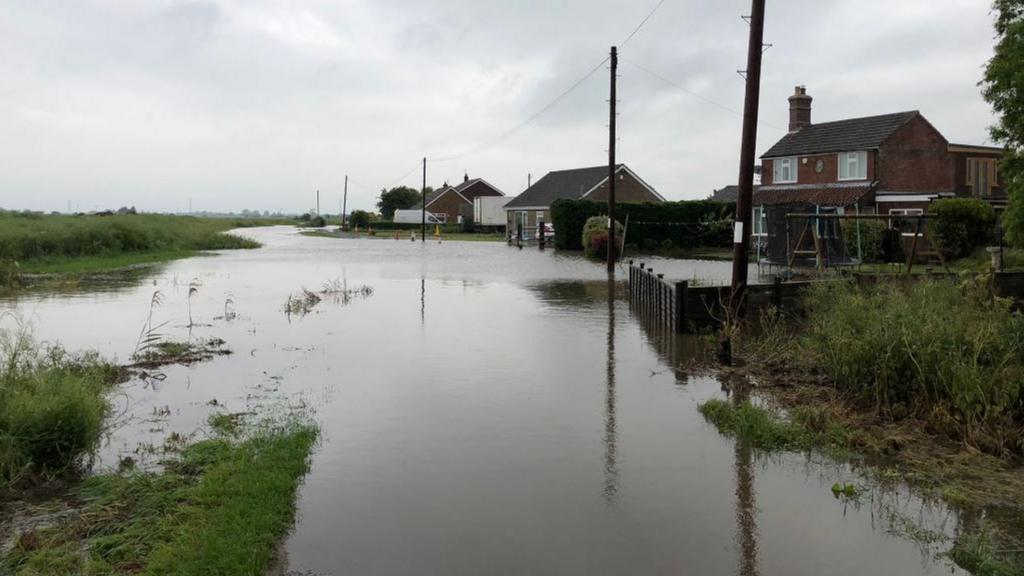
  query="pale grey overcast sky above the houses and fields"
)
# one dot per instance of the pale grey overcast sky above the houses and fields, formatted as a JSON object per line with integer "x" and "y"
{"x": 257, "y": 104}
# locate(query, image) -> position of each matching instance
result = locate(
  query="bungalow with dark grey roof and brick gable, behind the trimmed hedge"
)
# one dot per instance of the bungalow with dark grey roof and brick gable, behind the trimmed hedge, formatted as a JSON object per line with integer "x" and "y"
{"x": 591, "y": 184}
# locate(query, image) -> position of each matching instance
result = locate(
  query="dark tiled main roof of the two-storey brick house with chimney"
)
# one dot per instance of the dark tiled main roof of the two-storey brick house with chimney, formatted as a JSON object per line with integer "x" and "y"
{"x": 843, "y": 136}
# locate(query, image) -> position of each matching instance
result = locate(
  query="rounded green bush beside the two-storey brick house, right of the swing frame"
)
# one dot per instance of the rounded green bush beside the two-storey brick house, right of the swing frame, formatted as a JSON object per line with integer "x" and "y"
{"x": 962, "y": 225}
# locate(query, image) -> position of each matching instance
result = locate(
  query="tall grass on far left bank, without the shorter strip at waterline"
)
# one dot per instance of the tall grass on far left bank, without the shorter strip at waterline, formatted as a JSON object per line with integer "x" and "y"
{"x": 33, "y": 237}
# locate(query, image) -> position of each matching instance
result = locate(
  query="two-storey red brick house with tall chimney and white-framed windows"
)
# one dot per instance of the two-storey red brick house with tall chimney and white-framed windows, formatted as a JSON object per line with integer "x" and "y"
{"x": 889, "y": 164}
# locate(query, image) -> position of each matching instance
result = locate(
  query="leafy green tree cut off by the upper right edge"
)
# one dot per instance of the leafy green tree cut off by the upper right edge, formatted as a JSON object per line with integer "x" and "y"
{"x": 1004, "y": 89}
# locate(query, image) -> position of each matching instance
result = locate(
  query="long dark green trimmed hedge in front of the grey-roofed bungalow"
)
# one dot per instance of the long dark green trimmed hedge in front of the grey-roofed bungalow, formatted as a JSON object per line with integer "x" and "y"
{"x": 688, "y": 224}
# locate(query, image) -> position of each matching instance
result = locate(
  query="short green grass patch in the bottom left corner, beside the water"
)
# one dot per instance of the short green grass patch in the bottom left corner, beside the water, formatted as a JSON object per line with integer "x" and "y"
{"x": 222, "y": 509}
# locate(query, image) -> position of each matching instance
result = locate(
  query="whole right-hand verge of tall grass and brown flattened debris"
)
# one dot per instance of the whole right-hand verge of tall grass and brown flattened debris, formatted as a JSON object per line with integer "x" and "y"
{"x": 923, "y": 383}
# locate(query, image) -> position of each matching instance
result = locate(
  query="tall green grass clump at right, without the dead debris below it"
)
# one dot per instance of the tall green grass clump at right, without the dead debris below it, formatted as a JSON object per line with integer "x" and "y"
{"x": 953, "y": 355}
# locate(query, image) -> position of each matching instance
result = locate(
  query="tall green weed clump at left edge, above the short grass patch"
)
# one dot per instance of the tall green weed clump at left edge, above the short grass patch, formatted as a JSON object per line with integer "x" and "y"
{"x": 53, "y": 407}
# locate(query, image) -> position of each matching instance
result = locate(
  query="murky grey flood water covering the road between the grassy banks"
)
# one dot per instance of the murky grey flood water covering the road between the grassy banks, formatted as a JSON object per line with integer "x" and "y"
{"x": 486, "y": 410}
